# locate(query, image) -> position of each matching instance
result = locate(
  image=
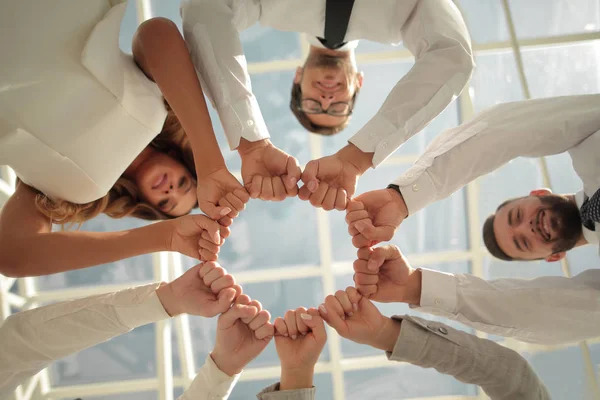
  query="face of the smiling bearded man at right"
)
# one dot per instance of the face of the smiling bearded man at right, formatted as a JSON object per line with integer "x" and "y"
{"x": 540, "y": 226}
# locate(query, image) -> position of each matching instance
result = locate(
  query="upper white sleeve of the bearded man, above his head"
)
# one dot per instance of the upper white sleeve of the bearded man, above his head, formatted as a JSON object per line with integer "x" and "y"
{"x": 531, "y": 128}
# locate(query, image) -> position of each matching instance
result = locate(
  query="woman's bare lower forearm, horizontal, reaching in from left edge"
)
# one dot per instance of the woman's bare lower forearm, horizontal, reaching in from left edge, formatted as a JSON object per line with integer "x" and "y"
{"x": 48, "y": 253}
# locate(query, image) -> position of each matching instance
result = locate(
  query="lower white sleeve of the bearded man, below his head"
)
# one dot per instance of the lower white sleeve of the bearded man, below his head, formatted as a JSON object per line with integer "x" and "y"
{"x": 545, "y": 310}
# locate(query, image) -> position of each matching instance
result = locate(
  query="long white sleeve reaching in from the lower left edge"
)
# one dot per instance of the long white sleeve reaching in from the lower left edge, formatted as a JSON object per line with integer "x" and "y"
{"x": 31, "y": 340}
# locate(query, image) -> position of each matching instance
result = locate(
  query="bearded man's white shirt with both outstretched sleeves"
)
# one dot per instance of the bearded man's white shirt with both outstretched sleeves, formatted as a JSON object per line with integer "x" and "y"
{"x": 544, "y": 310}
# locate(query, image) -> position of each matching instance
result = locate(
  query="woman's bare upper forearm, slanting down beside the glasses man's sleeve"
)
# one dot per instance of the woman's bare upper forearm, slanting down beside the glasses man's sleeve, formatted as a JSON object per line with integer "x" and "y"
{"x": 166, "y": 58}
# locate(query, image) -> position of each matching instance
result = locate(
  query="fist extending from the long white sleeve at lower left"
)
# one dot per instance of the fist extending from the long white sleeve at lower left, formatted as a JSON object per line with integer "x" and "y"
{"x": 205, "y": 290}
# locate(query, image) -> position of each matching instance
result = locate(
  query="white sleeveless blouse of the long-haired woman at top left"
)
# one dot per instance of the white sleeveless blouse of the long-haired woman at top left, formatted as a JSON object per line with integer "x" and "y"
{"x": 75, "y": 110}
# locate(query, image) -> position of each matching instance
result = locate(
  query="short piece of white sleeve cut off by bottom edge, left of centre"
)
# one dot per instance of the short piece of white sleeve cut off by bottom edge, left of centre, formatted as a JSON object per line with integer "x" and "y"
{"x": 210, "y": 383}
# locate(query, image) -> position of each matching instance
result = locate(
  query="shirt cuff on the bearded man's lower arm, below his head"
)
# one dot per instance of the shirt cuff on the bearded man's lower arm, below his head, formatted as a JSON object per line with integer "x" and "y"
{"x": 438, "y": 290}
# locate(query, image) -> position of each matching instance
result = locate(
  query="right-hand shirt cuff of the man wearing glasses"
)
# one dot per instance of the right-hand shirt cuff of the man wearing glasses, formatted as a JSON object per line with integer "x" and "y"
{"x": 380, "y": 137}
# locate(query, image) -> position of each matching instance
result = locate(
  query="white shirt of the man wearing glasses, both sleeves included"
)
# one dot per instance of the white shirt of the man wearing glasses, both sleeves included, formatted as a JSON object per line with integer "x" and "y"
{"x": 433, "y": 30}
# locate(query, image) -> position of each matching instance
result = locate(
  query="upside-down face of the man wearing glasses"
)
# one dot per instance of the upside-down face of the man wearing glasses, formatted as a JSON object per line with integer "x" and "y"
{"x": 330, "y": 82}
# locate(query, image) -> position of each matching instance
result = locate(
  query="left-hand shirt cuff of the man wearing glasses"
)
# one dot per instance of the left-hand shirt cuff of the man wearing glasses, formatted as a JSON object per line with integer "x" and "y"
{"x": 243, "y": 119}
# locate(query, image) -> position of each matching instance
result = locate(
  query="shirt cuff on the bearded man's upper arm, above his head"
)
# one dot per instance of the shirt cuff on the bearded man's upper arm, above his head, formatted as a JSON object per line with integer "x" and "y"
{"x": 417, "y": 188}
